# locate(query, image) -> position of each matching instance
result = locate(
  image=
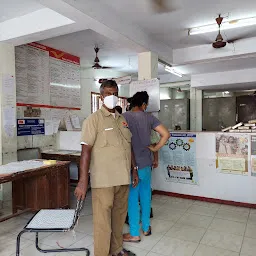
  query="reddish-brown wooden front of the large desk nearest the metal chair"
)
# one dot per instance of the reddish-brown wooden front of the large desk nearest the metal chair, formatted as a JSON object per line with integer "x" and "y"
{"x": 46, "y": 187}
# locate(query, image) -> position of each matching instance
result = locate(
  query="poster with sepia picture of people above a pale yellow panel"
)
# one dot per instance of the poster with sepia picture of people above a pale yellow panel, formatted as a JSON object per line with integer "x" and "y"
{"x": 232, "y": 153}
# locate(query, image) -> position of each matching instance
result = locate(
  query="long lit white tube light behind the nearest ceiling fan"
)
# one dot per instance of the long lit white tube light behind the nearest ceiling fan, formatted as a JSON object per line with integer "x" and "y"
{"x": 225, "y": 25}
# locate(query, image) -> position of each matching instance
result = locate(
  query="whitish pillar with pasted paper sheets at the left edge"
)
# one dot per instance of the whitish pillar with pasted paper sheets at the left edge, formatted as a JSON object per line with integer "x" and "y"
{"x": 8, "y": 138}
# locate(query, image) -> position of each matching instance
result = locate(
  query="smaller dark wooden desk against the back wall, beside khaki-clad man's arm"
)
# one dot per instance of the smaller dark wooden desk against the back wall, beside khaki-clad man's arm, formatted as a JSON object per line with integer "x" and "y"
{"x": 61, "y": 155}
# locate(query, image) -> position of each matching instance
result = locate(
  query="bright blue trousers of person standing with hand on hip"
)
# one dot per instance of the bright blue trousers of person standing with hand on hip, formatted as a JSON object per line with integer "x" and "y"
{"x": 142, "y": 194}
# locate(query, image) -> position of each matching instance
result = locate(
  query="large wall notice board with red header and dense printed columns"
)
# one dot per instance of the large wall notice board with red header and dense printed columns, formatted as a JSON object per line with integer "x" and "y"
{"x": 47, "y": 76}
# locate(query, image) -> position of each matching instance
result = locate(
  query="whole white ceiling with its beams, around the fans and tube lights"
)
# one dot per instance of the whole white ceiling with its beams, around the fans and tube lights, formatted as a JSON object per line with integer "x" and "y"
{"x": 125, "y": 28}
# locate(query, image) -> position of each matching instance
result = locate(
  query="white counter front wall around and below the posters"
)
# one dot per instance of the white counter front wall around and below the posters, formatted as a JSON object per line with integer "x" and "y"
{"x": 212, "y": 184}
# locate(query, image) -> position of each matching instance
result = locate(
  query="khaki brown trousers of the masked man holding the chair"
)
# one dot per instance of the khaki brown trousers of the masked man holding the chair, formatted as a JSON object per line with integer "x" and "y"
{"x": 109, "y": 213}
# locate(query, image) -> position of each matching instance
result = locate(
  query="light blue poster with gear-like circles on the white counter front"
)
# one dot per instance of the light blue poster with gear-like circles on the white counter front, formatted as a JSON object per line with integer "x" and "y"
{"x": 178, "y": 158}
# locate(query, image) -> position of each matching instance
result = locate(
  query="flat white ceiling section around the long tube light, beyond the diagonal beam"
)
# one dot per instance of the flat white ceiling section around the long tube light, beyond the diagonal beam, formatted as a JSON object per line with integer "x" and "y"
{"x": 172, "y": 28}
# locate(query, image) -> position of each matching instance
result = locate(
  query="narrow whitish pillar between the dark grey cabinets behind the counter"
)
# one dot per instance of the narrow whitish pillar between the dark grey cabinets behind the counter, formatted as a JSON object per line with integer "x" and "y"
{"x": 196, "y": 115}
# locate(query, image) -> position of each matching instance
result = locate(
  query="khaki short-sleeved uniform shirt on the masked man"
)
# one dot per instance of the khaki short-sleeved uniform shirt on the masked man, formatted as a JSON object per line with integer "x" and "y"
{"x": 110, "y": 139}
